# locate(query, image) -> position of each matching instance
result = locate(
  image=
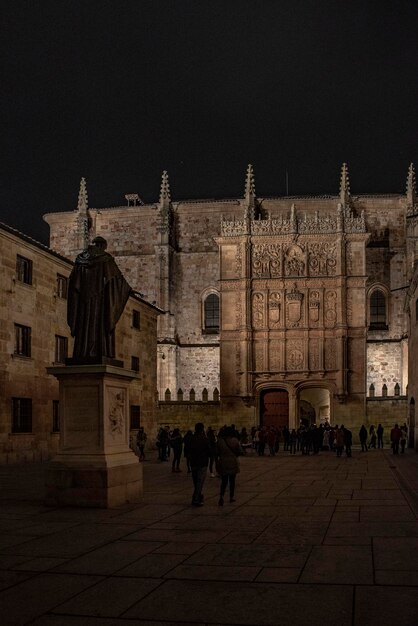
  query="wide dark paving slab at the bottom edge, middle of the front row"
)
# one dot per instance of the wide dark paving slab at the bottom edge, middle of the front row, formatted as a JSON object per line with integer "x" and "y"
{"x": 269, "y": 604}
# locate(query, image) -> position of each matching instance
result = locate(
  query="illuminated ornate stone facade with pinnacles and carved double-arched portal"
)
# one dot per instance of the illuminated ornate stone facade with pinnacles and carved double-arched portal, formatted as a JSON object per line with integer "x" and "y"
{"x": 291, "y": 307}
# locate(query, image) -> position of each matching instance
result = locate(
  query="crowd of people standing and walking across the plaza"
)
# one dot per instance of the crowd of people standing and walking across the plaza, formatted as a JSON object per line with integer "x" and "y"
{"x": 219, "y": 451}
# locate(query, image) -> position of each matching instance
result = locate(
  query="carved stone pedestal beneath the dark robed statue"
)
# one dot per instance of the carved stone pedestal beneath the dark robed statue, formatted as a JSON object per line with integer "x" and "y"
{"x": 95, "y": 466}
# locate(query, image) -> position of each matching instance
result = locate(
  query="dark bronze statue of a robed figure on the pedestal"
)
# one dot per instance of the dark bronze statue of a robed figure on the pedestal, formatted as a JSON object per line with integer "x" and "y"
{"x": 97, "y": 295}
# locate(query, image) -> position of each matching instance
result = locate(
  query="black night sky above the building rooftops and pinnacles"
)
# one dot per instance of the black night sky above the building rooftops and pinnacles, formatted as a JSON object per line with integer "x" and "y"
{"x": 118, "y": 90}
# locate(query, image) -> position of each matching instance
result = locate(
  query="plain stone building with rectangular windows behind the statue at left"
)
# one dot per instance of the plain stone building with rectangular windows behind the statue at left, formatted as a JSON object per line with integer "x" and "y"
{"x": 34, "y": 335}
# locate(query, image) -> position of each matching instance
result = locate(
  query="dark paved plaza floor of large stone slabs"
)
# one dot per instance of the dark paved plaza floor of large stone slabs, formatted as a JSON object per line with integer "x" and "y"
{"x": 310, "y": 540}
